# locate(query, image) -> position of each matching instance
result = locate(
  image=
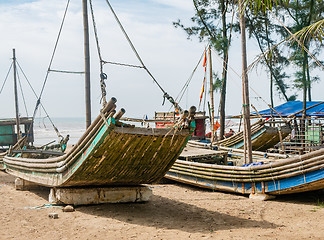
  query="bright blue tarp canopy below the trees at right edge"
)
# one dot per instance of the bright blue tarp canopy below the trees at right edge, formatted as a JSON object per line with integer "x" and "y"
{"x": 292, "y": 107}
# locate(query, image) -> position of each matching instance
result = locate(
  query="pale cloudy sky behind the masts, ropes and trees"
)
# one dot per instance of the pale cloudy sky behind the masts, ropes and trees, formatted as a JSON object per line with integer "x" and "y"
{"x": 31, "y": 27}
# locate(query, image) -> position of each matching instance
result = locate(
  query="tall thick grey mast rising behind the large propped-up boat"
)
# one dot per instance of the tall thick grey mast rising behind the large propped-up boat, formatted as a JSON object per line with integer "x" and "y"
{"x": 87, "y": 62}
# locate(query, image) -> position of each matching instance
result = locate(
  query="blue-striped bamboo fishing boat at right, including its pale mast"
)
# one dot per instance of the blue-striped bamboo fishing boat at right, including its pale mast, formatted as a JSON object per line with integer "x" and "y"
{"x": 255, "y": 176}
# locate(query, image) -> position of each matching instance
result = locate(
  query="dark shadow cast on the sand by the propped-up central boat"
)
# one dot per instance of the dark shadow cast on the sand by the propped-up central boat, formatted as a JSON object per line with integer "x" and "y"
{"x": 163, "y": 212}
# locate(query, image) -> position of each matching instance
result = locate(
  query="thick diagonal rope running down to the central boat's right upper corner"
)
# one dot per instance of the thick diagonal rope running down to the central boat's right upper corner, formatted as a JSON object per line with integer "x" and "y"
{"x": 165, "y": 94}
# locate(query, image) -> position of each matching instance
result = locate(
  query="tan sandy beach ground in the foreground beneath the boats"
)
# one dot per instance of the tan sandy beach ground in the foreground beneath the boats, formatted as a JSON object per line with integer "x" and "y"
{"x": 176, "y": 211}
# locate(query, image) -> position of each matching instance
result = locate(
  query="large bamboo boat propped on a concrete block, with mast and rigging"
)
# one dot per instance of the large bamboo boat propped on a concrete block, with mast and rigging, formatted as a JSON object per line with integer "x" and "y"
{"x": 110, "y": 152}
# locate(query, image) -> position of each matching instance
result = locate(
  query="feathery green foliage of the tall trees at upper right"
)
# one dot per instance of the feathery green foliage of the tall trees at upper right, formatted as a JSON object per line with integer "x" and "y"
{"x": 304, "y": 18}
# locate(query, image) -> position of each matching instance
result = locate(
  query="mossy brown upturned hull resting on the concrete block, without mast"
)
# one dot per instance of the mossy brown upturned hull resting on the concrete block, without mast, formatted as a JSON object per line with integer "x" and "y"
{"x": 114, "y": 156}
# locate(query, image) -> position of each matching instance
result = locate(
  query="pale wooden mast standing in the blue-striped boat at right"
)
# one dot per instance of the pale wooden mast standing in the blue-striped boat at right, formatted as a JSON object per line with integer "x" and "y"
{"x": 245, "y": 89}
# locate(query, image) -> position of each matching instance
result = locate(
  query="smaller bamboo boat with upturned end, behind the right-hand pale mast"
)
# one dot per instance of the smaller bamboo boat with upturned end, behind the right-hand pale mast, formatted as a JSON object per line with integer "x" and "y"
{"x": 263, "y": 136}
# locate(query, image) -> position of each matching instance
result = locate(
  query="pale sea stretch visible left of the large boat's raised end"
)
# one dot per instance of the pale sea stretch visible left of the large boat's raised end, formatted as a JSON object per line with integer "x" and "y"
{"x": 44, "y": 131}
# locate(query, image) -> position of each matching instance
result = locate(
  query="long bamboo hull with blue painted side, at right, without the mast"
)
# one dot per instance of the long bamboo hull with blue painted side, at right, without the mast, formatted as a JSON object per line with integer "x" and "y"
{"x": 293, "y": 175}
